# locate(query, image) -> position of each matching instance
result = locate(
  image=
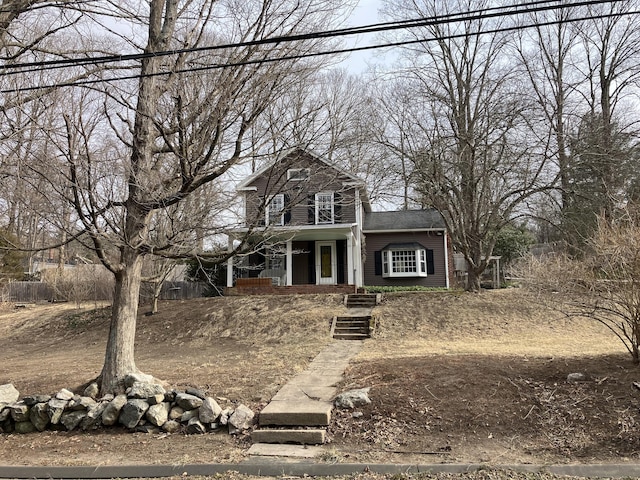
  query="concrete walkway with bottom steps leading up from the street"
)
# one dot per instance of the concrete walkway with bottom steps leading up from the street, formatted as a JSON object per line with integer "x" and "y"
{"x": 306, "y": 400}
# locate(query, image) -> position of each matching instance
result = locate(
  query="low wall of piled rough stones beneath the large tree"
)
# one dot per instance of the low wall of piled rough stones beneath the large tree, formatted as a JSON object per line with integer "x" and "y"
{"x": 146, "y": 407}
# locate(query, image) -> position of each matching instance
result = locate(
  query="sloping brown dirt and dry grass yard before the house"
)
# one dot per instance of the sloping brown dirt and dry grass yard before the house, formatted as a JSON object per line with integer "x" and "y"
{"x": 453, "y": 377}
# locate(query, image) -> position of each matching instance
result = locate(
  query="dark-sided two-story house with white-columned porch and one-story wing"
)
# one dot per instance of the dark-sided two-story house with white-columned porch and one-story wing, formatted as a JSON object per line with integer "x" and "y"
{"x": 311, "y": 227}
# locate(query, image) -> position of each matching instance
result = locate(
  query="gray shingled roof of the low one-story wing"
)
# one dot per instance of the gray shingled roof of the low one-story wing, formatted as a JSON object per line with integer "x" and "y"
{"x": 404, "y": 220}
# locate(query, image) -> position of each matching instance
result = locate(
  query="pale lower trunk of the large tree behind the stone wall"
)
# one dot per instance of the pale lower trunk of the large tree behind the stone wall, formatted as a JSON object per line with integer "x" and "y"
{"x": 119, "y": 357}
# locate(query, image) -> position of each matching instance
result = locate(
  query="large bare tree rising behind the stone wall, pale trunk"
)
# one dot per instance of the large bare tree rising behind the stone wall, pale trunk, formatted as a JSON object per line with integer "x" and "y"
{"x": 180, "y": 129}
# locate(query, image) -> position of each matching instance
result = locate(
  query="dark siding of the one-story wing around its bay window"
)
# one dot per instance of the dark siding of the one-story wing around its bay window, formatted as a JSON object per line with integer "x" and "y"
{"x": 432, "y": 241}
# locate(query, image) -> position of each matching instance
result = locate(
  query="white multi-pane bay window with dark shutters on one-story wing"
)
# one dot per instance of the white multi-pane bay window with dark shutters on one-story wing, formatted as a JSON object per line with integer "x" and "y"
{"x": 404, "y": 260}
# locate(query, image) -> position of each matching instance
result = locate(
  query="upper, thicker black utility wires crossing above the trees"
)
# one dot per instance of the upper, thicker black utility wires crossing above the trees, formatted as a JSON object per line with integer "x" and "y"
{"x": 478, "y": 14}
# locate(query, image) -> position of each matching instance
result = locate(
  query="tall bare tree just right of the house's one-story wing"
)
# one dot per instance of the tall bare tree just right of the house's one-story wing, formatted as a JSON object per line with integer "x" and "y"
{"x": 474, "y": 162}
